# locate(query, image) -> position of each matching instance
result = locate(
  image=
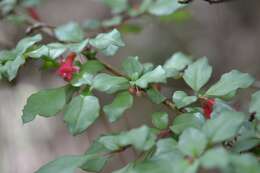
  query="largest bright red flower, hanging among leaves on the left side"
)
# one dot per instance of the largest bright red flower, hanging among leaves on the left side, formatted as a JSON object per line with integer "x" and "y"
{"x": 67, "y": 68}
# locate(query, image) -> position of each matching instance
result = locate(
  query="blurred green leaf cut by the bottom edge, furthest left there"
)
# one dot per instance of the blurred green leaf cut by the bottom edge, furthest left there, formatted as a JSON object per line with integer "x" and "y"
{"x": 65, "y": 164}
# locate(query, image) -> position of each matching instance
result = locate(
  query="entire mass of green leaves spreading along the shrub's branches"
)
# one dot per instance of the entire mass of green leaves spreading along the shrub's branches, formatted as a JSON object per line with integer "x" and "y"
{"x": 226, "y": 140}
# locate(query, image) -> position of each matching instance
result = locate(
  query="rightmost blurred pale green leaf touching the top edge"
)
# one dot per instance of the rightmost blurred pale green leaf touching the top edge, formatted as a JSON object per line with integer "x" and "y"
{"x": 164, "y": 7}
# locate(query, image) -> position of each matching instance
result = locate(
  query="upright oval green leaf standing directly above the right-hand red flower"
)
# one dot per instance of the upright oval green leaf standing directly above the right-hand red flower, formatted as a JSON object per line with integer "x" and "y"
{"x": 198, "y": 74}
